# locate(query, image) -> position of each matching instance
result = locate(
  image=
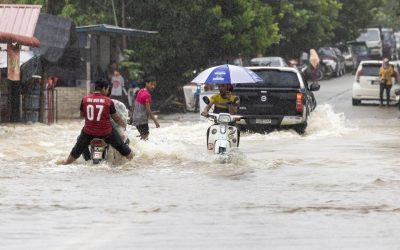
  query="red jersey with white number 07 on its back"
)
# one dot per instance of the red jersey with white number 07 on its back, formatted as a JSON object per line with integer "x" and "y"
{"x": 96, "y": 109}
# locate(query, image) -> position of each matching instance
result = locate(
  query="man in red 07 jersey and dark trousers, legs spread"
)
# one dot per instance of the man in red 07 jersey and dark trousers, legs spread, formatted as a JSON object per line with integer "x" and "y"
{"x": 97, "y": 108}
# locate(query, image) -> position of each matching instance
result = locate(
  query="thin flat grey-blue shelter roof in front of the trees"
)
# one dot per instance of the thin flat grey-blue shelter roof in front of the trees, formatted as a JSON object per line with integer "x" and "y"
{"x": 111, "y": 29}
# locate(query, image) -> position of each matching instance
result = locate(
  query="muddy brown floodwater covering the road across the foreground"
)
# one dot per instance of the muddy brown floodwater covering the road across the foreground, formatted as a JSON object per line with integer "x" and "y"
{"x": 336, "y": 187}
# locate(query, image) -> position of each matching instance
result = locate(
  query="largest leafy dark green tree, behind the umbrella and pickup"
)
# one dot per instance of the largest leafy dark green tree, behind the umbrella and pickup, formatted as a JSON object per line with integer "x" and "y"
{"x": 194, "y": 34}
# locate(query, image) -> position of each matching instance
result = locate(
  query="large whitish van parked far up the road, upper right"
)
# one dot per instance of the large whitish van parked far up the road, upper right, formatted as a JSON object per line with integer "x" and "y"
{"x": 372, "y": 37}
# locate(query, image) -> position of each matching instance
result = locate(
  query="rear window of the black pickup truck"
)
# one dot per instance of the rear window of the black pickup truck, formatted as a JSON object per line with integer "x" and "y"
{"x": 278, "y": 79}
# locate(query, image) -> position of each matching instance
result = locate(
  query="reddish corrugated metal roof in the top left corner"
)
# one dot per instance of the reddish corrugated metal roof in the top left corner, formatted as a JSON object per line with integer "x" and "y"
{"x": 19, "y": 19}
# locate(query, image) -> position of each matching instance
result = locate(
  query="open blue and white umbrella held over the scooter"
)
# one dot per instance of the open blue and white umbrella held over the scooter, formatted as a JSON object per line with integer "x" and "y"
{"x": 226, "y": 74}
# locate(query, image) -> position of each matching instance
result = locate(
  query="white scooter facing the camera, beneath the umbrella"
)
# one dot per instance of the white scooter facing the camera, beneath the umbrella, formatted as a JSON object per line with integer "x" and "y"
{"x": 222, "y": 136}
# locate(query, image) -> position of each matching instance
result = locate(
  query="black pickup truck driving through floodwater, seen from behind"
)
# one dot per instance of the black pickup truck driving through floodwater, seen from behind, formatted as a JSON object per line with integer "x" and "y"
{"x": 283, "y": 99}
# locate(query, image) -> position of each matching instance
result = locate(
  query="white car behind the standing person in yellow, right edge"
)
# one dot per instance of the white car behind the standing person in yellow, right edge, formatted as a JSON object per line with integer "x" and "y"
{"x": 366, "y": 82}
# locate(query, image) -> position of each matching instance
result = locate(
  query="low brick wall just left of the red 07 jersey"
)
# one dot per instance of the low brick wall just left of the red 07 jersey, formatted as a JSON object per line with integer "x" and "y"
{"x": 69, "y": 100}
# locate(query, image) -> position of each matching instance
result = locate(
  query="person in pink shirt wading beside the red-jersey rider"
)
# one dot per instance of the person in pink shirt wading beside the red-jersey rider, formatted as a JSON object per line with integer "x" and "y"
{"x": 142, "y": 110}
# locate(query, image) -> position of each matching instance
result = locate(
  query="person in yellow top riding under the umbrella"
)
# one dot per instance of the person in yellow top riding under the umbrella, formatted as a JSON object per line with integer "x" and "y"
{"x": 224, "y": 102}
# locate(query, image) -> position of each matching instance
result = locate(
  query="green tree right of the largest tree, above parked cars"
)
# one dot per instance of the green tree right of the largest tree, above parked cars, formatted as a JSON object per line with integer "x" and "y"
{"x": 304, "y": 24}
